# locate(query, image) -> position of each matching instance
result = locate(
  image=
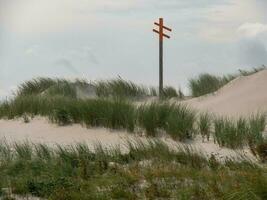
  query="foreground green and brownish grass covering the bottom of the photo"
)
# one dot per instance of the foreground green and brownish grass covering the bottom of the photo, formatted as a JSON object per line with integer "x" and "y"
{"x": 147, "y": 171}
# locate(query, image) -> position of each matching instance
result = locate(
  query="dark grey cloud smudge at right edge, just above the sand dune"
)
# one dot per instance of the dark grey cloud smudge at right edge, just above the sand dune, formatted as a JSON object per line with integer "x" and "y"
{"x": 253, "y": 53}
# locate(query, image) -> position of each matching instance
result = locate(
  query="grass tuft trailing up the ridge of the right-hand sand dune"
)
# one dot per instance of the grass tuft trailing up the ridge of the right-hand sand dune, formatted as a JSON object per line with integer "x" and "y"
{"x": 207, "y": 83}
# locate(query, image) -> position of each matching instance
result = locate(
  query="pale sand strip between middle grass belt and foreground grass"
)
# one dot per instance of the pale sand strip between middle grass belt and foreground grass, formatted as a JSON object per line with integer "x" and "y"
{"x": 39, "y": 130}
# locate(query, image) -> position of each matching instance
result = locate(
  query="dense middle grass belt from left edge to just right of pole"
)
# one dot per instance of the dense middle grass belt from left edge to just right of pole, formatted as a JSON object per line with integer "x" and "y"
{"x": 176, "y": 120}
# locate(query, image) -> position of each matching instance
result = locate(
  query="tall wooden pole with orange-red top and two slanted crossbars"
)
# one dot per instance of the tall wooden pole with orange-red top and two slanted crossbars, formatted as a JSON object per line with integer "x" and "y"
{"x": 161, "y": 37}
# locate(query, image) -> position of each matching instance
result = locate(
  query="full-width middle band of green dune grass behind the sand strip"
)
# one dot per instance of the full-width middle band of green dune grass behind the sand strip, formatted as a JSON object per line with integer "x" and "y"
{"x": 176, "y": 120}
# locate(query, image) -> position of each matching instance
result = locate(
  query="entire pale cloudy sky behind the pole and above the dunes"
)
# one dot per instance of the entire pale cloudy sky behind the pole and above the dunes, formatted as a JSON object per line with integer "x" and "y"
{"x": 103, "y": 39}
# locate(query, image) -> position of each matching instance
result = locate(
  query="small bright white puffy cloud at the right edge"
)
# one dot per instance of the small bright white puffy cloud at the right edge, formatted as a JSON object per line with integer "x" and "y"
{"x": 251, "y": 30}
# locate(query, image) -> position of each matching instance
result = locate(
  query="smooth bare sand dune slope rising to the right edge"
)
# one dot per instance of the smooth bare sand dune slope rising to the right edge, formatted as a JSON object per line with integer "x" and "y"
{"x": 242, "y": 96}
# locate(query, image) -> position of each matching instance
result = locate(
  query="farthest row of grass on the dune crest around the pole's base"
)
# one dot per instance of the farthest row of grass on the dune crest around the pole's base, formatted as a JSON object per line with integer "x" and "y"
{"x": 115, "y": 88}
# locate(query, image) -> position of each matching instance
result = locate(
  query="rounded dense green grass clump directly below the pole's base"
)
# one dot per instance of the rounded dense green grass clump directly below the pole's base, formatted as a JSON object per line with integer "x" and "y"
{"x": 175, "y": 120}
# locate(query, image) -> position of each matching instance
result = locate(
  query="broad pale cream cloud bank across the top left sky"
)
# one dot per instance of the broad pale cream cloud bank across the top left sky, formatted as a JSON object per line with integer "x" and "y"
{"x": 46, "y": 16}
